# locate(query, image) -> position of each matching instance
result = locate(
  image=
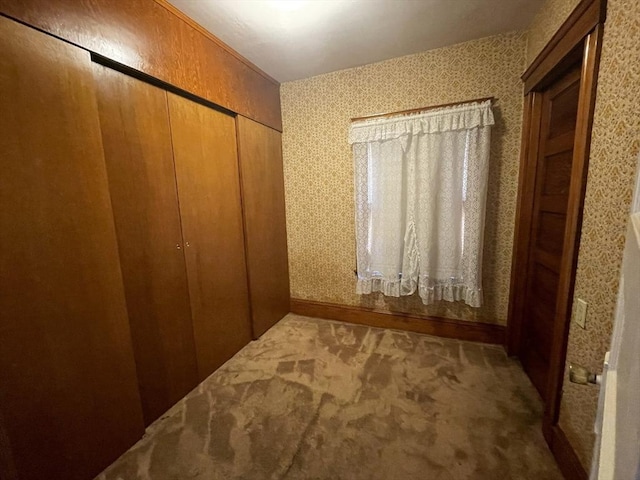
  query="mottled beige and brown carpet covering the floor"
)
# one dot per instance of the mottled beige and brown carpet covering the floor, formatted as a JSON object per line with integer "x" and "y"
{"x": 315, "y": 399}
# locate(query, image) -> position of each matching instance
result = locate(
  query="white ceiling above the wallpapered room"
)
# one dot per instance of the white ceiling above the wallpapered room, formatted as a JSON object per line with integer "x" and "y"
{"x": 294, "y": 39}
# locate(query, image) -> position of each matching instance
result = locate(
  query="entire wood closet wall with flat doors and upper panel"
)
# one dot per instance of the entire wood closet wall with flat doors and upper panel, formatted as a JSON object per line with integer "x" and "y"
{"x": 142, "y": 228}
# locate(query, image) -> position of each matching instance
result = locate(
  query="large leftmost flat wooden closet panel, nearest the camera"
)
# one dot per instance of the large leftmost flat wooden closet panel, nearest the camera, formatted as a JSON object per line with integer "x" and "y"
{"x": 68, "y": 394}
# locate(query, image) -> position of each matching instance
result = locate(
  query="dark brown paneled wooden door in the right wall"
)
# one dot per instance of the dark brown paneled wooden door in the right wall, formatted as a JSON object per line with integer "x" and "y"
{"x": 551, "y": 196}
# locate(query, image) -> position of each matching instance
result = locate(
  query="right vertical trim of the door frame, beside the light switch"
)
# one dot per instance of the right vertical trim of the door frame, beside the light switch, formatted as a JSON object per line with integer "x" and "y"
{"x": 566, "y": 283}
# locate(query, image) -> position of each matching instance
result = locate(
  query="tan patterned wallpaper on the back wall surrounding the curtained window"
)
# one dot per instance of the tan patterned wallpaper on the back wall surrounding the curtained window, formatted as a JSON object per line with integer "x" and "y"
{"x": 318, "y": 165}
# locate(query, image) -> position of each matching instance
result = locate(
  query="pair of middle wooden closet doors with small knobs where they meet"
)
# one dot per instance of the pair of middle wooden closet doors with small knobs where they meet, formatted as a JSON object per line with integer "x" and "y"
{"x": 175, "y": 191}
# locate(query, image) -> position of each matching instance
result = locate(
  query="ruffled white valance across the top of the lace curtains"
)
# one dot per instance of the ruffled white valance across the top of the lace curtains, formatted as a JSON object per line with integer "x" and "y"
{"x": 463, "y": 117}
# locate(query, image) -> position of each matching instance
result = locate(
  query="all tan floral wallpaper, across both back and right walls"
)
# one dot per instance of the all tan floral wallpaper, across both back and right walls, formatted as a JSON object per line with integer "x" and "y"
{"x": 319, "y": 176}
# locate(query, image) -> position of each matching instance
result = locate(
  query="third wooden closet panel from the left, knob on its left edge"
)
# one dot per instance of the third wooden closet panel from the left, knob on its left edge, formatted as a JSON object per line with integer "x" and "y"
{"x": 205, "y": 153}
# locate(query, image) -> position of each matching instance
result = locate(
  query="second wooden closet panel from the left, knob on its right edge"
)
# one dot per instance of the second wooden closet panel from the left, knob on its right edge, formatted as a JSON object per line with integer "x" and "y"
{"x": 134, "y": 120}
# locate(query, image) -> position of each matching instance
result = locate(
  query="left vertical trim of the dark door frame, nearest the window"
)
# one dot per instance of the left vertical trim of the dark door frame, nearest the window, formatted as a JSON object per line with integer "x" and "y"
{"x": 524, "y": 210}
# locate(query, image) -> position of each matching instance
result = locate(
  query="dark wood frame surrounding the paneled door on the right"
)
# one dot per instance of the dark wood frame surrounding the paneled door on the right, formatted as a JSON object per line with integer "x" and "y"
{"x": 584, "y": 25}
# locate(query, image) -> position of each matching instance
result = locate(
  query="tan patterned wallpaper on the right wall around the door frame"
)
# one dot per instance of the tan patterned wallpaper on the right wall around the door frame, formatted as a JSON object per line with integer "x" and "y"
{"x": 614, "y": 149}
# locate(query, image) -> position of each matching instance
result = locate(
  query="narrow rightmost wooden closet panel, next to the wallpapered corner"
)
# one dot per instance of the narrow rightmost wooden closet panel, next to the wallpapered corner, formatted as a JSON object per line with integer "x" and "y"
{"x": 262, "y": 182}
